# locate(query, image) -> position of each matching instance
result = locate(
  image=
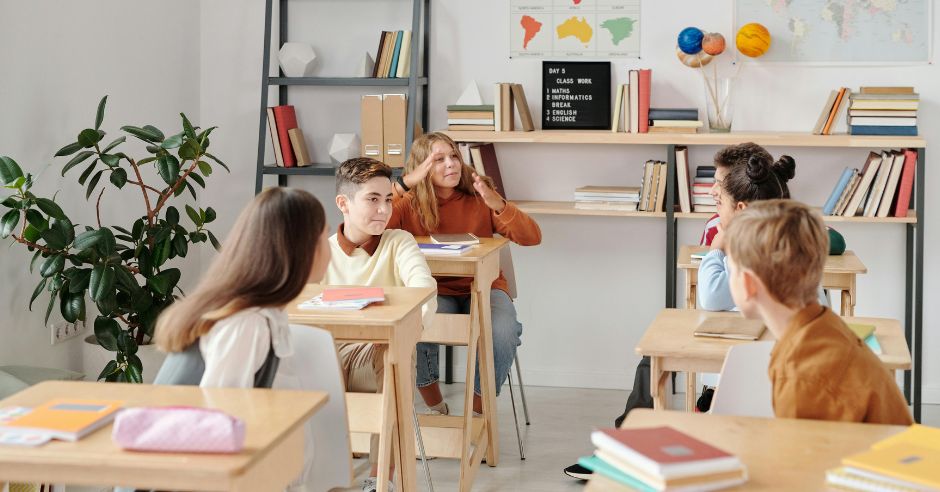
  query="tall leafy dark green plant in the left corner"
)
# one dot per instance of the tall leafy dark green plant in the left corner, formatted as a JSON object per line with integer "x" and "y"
{"x": 124, "y": 271}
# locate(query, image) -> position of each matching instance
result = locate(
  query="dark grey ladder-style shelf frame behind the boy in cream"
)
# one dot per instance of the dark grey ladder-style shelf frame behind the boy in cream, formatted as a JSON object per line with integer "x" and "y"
{"x": 414, "y": 82}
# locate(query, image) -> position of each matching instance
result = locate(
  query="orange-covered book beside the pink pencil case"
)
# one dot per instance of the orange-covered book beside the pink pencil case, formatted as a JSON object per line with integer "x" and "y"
{"x": 67, "y": 419}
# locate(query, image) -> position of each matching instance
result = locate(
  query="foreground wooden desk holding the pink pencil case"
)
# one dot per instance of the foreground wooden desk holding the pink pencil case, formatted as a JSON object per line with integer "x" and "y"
{"x": 272, "y": 458}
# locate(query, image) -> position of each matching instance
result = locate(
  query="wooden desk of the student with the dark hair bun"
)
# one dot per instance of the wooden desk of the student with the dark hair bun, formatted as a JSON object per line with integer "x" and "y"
{"x": 839, "y": 274}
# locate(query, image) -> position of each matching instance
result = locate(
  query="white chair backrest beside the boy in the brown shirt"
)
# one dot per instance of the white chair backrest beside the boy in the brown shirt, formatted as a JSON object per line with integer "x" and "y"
{"x": 744, "y": 388}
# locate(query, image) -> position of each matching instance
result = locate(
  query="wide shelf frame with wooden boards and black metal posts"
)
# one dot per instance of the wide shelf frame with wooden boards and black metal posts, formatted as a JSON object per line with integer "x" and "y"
{"x": 913, "y": 223}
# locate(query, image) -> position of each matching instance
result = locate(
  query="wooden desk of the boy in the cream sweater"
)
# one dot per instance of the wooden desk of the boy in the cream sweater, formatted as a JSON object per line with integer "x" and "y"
{"x": 397, "y": 323}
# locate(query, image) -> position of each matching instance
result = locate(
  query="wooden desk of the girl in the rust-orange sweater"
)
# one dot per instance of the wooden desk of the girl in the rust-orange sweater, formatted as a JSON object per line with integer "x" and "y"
{"x": 481, "y": 263}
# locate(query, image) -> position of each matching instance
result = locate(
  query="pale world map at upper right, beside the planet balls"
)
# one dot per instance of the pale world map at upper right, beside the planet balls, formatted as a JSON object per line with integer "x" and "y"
{"x": 842, "y": 31}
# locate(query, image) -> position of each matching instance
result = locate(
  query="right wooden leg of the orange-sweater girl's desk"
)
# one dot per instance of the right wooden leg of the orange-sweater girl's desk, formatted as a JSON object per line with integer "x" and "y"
{"x": 487, "y": 371}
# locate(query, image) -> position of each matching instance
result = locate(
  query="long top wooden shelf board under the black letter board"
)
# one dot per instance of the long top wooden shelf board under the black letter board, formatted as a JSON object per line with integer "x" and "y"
{"x": 787, "y": 139}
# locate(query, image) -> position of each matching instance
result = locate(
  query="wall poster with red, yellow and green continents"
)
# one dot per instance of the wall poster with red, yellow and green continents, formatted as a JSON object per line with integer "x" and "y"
{"x": 574, "y": 29}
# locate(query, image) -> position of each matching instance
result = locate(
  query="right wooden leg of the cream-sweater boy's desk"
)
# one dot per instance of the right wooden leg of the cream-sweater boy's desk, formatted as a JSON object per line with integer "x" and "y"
{"x": 406, "y": 336}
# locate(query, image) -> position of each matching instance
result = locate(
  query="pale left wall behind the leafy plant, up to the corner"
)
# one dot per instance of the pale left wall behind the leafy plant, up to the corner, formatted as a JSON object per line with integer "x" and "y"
{"x": 58, "y": 59}
